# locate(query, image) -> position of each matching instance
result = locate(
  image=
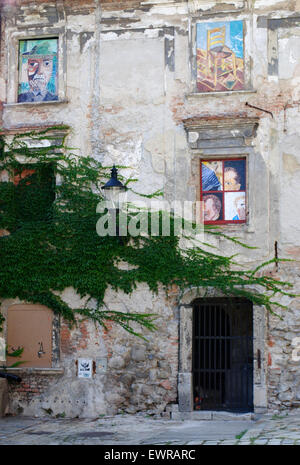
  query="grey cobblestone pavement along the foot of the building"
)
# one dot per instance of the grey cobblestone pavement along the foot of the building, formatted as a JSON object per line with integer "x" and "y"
{"x": 281, "y": 429}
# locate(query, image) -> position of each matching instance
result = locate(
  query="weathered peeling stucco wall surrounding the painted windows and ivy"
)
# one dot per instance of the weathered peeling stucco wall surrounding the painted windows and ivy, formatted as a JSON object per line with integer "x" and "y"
{"x": 126, "y": 86}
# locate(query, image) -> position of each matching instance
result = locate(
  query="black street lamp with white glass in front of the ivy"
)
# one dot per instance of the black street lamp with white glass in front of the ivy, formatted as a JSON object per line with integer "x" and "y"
{"x": 115, "y": 195}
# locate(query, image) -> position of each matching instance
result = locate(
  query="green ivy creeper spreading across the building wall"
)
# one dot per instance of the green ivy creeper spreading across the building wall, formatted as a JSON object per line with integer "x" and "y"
{"x": 53, "y": 243}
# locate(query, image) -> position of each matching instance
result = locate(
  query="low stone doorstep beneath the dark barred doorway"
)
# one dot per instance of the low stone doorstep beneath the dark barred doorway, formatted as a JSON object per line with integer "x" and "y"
{"x": 212, "y": 415}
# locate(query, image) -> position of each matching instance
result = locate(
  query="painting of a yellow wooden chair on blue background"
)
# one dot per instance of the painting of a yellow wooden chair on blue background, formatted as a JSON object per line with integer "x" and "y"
{"x": 220, "y": 56}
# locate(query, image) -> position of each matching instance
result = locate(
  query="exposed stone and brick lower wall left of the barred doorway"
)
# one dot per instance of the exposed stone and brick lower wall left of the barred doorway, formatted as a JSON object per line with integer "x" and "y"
{"x": 130, "y": 374}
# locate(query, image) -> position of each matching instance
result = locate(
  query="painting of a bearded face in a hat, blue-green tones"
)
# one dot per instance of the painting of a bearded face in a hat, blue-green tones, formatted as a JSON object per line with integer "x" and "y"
{"x": 38, "y": 70}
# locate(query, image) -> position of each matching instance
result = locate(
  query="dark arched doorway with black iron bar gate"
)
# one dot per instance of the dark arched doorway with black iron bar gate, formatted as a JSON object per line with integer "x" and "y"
{"x": 223, "y": 355}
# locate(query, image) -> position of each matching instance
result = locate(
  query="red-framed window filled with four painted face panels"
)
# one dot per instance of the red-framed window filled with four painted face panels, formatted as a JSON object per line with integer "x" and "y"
{"x": 223, "y": 190}
